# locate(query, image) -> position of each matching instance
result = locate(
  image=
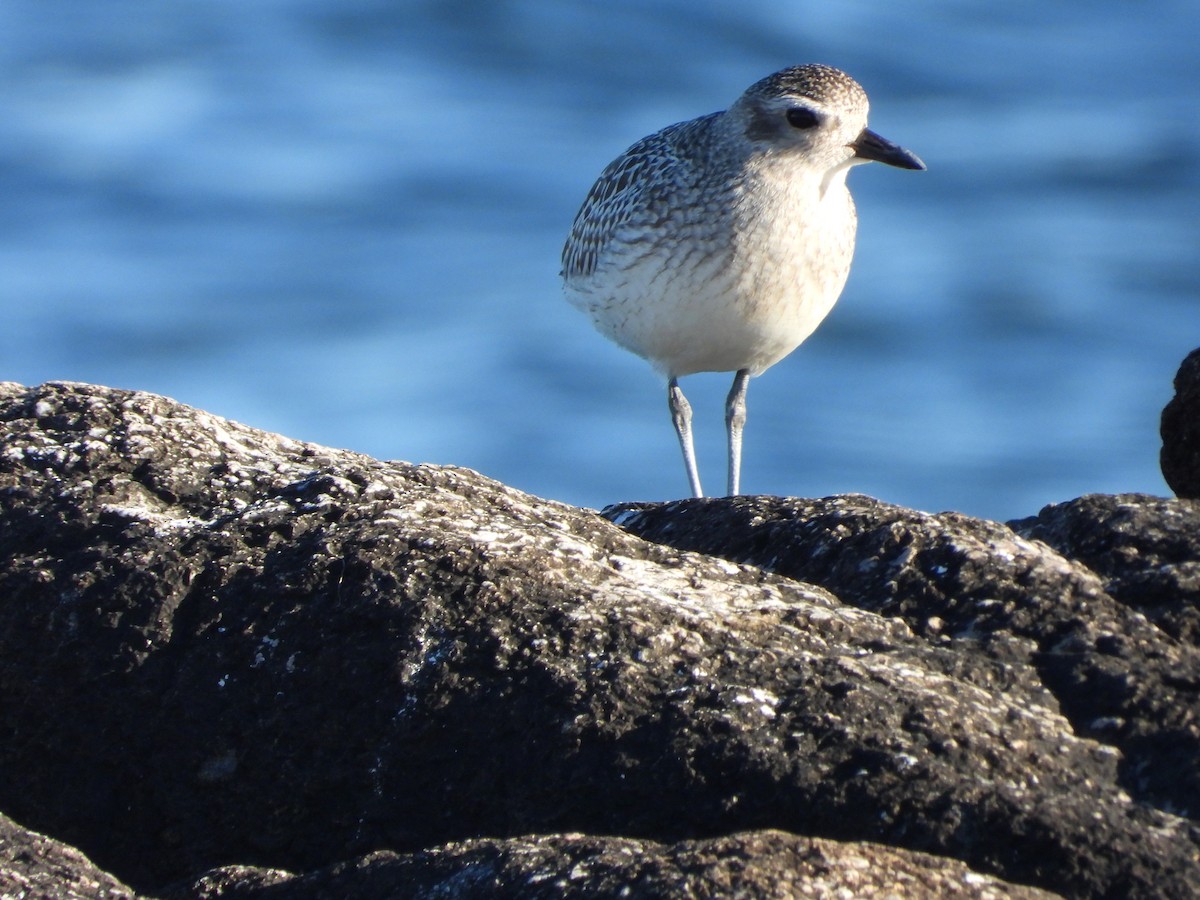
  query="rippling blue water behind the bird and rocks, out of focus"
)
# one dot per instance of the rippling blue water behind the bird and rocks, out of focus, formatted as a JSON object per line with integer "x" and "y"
{"x": 343, "y": 221}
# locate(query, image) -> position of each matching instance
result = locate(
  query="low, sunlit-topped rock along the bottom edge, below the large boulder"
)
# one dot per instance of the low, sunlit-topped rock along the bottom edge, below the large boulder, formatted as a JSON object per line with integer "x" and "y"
{"x": 757, "y": 865}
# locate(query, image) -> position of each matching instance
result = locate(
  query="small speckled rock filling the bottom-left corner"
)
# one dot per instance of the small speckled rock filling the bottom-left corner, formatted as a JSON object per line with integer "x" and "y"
{"x": 34, "y": 867}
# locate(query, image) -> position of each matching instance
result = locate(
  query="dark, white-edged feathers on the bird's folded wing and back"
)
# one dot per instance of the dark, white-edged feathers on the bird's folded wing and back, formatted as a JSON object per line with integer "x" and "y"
{"x": 643, "y": 181}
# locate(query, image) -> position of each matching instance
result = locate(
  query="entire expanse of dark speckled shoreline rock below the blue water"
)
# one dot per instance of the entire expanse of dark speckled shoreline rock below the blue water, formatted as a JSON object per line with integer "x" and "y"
{"x": 303, "y": 671}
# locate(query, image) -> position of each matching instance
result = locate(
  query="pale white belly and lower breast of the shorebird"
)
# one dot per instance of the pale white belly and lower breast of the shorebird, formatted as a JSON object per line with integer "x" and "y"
{"x": 742, "y": 301}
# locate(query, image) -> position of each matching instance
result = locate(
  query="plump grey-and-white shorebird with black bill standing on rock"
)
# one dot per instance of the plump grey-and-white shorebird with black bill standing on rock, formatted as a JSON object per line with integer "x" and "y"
{"x": 719, "y": 244}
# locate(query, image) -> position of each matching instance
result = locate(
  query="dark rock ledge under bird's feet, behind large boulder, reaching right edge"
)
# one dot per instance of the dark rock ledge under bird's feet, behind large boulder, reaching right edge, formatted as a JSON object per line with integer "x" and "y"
{"x": 1043, "y": 617}
